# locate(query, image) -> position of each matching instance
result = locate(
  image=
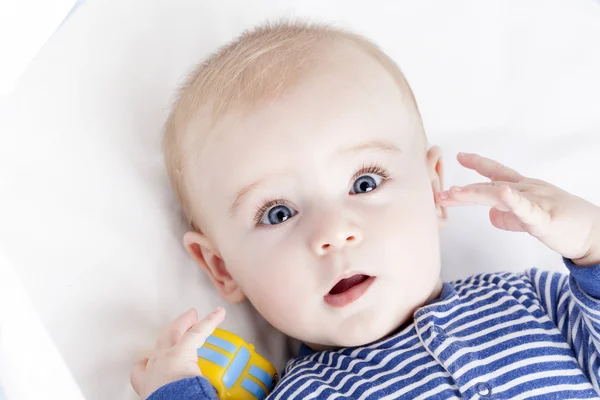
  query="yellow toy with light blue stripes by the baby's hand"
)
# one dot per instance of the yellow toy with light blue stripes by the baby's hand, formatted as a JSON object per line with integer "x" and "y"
{"x": 234, "y": 368}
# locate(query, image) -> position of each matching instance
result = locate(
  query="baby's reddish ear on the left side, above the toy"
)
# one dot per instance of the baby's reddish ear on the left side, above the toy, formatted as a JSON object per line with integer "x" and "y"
{"x": 203, "y": 251}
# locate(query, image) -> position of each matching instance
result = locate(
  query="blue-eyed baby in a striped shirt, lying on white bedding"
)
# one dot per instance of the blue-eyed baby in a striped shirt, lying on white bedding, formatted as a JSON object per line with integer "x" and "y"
{"x": 299, "y": 157}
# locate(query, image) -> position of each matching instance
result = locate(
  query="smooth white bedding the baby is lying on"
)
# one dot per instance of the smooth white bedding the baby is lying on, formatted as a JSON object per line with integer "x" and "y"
{"x": 95, "y": 232}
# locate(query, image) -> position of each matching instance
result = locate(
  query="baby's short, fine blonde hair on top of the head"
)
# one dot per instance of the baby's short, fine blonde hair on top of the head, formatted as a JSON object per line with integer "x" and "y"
{"x": 257, "y": 67}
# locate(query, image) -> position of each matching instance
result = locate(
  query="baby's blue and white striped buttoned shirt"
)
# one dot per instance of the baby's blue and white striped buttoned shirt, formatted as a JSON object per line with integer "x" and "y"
{"x": 532, "y": 335}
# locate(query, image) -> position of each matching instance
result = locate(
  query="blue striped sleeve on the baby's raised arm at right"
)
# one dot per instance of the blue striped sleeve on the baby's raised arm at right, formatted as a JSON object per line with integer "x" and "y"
{"x": 572, "y": 301}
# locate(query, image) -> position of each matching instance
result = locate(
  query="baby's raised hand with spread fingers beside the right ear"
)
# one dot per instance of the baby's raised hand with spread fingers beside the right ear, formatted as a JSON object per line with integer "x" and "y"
{"x": 566, "y": 223}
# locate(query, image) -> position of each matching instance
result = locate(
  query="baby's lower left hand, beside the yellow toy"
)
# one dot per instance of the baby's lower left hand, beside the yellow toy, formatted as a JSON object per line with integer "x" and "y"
{"x": 175, "y": 355}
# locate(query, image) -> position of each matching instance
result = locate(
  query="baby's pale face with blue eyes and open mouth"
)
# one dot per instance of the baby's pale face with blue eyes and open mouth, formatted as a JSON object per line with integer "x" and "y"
{"x": 330, "y": 182}
